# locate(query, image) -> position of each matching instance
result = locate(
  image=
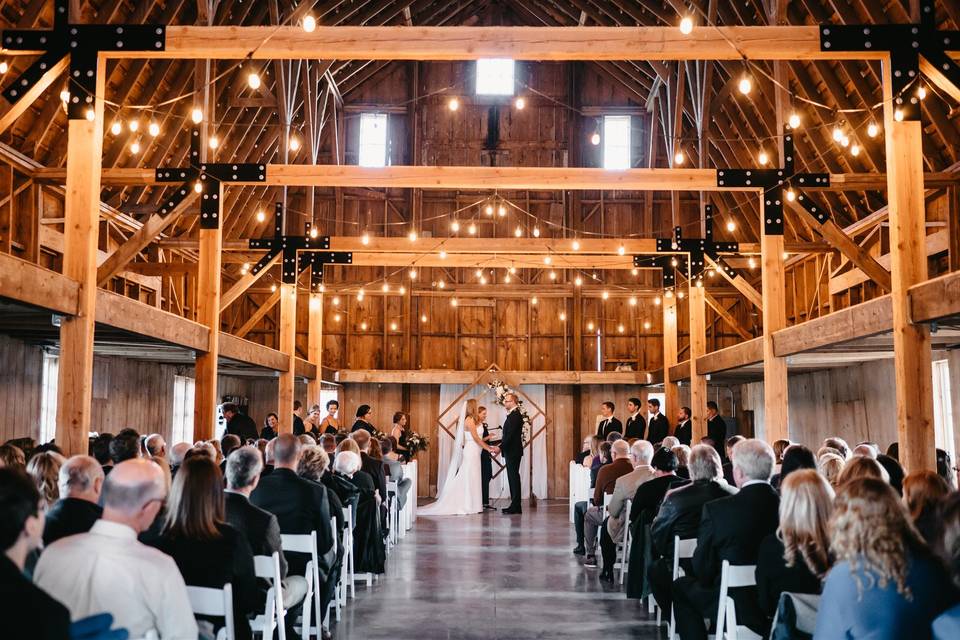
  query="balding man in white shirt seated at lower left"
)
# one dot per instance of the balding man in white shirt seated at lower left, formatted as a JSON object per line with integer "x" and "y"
{"x": 108, "y": 570}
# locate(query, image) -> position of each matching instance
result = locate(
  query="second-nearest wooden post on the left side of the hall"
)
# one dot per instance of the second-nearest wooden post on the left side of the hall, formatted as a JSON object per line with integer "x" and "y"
{"x": 208, "y": 314}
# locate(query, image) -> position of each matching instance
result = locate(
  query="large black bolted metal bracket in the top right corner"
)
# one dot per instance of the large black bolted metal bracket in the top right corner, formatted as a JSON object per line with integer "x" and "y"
{"x": 906, "y": 44}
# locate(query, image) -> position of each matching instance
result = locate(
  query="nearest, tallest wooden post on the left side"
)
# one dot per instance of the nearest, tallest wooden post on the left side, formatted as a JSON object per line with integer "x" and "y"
{"x": 81, "y": 225}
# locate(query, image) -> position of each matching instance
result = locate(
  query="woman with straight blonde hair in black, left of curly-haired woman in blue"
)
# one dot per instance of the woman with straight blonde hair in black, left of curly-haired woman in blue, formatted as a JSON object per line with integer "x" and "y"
{"x": 797, "y": 557}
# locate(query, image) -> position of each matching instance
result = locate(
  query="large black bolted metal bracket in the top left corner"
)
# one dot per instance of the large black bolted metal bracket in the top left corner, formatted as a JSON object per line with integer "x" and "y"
{"x": 83, "y": 43}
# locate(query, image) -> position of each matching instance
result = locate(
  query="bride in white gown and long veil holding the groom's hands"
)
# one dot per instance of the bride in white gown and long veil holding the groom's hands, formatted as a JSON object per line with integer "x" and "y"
{"x": 462, "y": 491}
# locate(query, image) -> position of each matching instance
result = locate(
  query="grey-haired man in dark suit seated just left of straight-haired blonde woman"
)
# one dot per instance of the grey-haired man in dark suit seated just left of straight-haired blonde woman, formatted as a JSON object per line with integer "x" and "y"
{"x": 730, "y": 529}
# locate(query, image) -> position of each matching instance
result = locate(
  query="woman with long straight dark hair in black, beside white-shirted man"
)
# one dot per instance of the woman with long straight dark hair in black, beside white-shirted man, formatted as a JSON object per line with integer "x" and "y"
{"x": 208, "y": 551}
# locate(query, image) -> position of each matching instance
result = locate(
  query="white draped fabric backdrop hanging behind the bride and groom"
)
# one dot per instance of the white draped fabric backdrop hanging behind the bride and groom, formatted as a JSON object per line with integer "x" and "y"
{"x": 533, "y": 468}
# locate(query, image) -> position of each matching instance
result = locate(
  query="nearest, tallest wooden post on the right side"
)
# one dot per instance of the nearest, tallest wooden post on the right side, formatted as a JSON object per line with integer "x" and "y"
{"x": 908, "y": 262}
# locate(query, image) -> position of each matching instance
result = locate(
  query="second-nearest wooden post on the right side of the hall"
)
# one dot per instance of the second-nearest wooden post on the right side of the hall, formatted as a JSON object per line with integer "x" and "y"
{"x": 774, "y": 318}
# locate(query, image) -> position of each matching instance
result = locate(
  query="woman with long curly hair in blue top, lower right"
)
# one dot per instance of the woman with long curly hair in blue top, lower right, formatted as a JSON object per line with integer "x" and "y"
{"x": 885, "y": 582}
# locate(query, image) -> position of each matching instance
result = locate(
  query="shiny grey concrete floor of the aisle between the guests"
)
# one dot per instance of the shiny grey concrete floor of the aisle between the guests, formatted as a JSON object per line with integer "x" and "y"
{"x": 492, "y": 576}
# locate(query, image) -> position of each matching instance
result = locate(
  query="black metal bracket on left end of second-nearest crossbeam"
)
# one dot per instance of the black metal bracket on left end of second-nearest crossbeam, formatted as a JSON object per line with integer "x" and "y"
{"x": 210, "y": 176}
